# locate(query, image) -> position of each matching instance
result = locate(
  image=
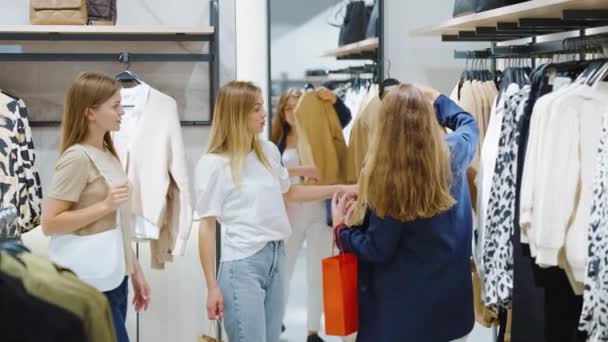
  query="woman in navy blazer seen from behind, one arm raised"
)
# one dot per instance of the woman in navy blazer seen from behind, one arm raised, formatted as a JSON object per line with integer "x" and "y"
{"x": 414, "y": 243}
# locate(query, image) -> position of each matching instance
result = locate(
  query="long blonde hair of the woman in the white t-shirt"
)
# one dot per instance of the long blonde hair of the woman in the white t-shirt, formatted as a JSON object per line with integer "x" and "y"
{"x": 234, "y": 102}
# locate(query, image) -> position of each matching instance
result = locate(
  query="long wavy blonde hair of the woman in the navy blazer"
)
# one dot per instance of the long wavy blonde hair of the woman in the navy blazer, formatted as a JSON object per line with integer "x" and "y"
{"x": 407, "y": 173}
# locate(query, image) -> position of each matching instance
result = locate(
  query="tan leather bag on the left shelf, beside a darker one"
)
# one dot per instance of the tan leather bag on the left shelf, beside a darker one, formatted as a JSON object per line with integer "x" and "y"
{"x": 58, "y": 12}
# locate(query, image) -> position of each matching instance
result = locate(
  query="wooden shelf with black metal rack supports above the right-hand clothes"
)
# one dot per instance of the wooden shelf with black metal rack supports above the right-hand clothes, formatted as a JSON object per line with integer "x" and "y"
{"x": 529, "y": 30}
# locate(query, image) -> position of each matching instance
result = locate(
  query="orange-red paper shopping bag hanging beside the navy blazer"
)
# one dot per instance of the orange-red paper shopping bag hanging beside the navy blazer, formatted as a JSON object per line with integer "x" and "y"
{"x": 340, "y": 300}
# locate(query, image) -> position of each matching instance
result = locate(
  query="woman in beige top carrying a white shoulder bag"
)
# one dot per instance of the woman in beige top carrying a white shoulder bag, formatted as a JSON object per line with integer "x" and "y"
{"x": 87, "y": 206}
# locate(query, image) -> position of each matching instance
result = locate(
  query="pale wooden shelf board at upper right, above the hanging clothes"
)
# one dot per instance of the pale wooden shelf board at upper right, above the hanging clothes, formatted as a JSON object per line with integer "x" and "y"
{"x": 530, "y": 9}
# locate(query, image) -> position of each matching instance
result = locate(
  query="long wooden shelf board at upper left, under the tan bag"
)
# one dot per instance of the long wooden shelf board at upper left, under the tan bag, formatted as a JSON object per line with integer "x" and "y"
{"x": 110, "y": 33}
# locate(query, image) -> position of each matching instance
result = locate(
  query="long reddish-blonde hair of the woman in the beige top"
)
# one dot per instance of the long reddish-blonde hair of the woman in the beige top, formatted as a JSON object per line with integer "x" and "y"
{"x": 87, "y": 91}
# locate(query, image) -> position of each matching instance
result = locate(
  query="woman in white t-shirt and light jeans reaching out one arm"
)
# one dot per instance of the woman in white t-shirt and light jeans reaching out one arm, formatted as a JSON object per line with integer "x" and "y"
{"x": 241, "y": 184}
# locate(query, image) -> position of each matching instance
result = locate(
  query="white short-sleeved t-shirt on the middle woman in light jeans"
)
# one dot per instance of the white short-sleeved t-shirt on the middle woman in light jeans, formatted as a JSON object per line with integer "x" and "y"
{"x": 251, "y": 214}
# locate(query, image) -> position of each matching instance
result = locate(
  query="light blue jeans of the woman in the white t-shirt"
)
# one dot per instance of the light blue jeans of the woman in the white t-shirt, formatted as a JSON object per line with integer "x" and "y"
{"x": 253, "y": 295}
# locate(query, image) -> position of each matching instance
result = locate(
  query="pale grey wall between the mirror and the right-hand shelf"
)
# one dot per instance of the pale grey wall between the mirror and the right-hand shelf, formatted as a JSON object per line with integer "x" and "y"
{"x": 424, "y": 60}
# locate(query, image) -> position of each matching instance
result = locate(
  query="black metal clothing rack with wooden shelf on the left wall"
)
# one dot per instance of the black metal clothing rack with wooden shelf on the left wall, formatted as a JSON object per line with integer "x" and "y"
{"x": 121, "y": 34}
